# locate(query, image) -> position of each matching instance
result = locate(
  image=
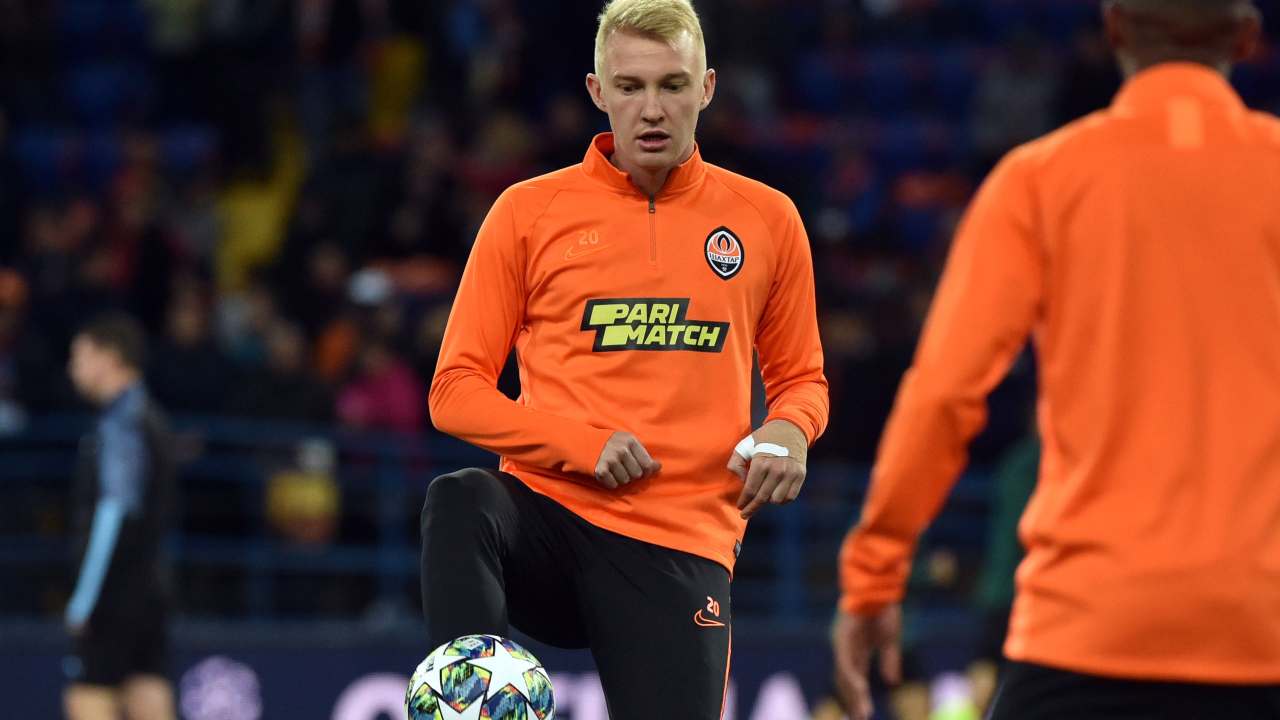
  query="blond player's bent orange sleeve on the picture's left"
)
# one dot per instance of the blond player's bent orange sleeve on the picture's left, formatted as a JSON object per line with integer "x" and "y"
{"x": 484, "y": 323}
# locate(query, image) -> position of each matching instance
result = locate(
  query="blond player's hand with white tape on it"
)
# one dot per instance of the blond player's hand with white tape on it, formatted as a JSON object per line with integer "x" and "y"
{"x": 769, "y": 479}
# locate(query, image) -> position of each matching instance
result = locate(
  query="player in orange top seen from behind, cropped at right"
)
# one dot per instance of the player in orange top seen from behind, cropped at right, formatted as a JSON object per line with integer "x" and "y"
{"x": 1140, "y": 248}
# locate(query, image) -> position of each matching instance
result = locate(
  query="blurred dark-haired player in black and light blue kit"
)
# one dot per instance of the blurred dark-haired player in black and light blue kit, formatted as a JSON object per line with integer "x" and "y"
{"x": 118, "y": 612}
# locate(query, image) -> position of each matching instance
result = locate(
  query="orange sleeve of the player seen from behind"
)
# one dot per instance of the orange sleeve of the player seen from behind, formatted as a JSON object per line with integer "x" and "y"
{"x": 986, "y": 306}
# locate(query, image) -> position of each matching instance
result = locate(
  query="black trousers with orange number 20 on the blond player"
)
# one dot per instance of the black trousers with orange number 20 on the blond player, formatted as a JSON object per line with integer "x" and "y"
{"x": 657, "y": 621}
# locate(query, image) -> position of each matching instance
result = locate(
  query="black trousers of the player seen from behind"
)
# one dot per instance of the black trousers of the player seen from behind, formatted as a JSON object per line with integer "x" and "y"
{"x": 1036, "y": 692}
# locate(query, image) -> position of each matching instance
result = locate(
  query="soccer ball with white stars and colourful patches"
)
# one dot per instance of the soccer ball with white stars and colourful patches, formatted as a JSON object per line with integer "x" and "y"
{"x": 481, "y": 678}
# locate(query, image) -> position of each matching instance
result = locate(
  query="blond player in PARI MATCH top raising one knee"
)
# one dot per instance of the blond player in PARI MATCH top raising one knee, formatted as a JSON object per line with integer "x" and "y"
{"x": 634, "y": 288}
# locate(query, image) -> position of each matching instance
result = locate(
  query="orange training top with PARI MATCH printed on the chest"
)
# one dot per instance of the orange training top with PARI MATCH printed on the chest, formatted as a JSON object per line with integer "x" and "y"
{"x": 634, "y": 315}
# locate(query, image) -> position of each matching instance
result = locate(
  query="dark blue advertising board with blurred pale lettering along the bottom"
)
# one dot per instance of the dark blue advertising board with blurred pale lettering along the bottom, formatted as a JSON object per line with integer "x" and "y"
{"x": 775, "y": 677}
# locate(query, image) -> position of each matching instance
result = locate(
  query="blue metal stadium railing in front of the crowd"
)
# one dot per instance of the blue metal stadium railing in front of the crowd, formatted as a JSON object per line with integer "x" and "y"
{"x": 236, "y": 566}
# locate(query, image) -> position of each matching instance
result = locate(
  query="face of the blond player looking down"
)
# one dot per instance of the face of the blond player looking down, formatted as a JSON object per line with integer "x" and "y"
{"x": 653, "y": 93}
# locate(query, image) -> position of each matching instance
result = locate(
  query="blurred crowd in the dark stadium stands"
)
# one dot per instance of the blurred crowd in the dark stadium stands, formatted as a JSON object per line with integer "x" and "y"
{"x": 286, "y": 192}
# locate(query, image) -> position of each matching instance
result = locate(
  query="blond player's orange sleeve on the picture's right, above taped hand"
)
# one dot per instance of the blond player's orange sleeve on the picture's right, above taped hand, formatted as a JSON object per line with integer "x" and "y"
{"x": 788, "y": 341}
